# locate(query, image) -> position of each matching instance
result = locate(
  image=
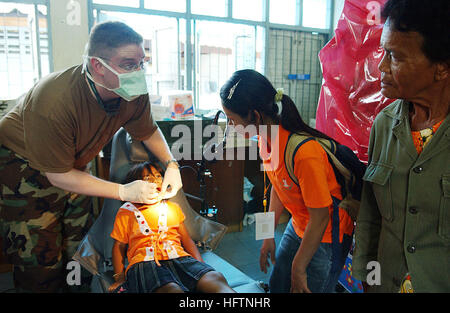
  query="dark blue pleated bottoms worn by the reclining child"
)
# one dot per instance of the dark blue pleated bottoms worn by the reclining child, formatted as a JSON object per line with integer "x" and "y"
{"x": 146, "y": 277}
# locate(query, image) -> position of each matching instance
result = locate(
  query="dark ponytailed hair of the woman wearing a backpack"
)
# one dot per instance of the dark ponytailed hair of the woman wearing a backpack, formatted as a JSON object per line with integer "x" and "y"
{"x": 255, "y": 92}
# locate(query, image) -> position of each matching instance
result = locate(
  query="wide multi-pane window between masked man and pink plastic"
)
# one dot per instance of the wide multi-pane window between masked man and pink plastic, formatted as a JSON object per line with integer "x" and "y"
{"x": 219, "y": 45}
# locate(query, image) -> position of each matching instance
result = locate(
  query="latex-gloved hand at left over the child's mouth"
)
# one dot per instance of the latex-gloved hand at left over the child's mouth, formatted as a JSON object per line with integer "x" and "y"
{"x": 139, "y": 191}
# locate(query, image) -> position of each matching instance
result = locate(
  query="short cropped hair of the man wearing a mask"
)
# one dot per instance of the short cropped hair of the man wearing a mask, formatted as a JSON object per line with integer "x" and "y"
{"x": 110, "y": 35}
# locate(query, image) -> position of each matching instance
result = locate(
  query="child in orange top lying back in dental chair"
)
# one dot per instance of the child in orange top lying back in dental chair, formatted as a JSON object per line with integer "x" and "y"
{"x": 162, "y": 256}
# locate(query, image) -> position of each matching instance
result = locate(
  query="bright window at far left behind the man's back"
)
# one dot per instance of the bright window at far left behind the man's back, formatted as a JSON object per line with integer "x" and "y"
{"x": 23, "y": 58}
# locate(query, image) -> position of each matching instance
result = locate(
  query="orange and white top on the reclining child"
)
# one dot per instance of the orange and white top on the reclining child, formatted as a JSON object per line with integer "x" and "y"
{"x": 127, "y": 230}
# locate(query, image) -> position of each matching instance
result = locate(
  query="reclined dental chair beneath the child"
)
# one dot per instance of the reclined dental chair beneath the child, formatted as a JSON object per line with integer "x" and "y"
{"x": 95, "y": 250}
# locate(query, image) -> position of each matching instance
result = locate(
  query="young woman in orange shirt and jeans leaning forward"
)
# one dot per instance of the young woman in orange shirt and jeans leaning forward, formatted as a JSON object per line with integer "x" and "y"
{"x": 307, "y": 259}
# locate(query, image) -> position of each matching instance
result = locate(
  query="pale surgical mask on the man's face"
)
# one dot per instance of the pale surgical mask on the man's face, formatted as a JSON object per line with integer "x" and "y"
{"x": 131, "y": 85}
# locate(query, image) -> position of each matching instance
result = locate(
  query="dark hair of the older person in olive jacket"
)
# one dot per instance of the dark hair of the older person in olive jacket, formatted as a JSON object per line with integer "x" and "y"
{"x": 431, "y": 19}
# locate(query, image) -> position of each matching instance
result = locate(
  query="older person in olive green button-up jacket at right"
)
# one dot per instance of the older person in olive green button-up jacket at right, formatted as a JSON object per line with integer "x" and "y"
{"x": 404, "y": 219}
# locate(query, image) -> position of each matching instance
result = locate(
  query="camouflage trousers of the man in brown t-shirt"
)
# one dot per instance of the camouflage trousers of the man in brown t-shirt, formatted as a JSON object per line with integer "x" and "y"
{"x": 41, "y": 225}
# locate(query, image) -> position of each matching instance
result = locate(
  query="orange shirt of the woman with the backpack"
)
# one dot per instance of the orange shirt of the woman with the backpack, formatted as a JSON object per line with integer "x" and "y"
{"x": 317, "y": 183}
